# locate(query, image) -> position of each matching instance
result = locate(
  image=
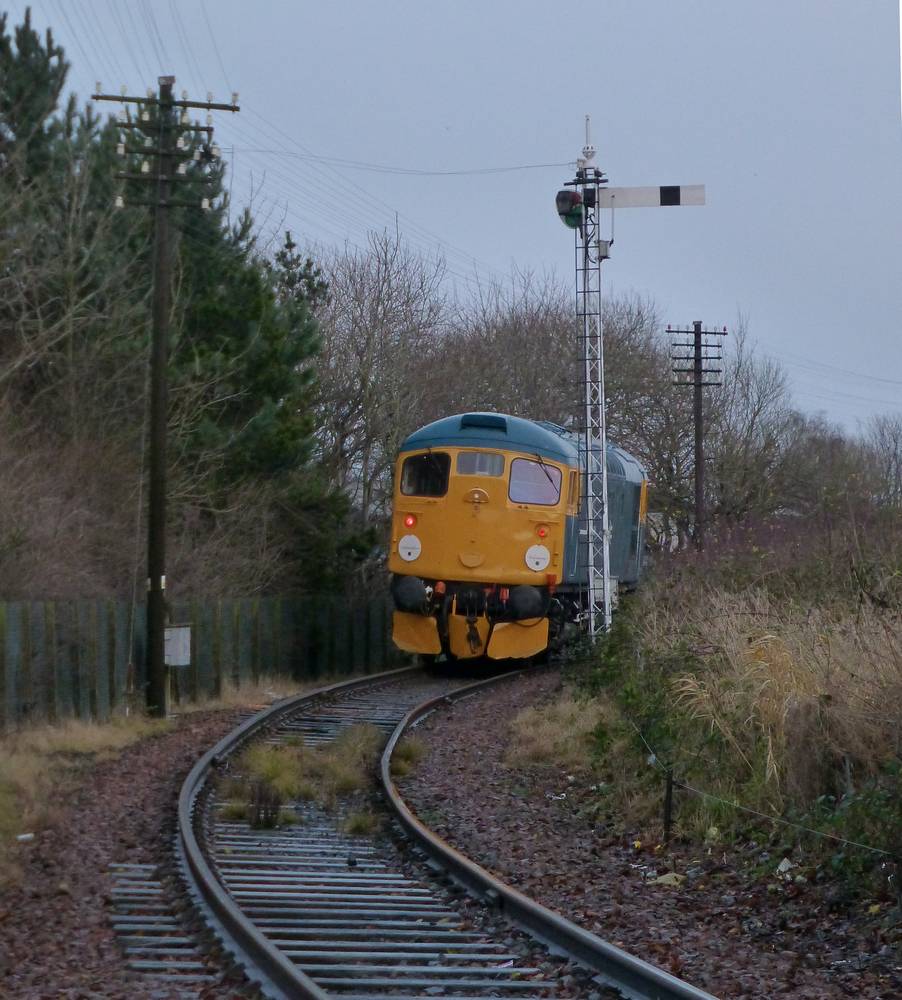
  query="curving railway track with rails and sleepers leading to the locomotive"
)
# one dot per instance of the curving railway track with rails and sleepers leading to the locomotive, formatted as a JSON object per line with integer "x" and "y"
{"x": 311, "y": 911}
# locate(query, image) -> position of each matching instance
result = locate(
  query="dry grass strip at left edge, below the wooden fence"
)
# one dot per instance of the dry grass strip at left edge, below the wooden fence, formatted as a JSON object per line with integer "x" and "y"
{"x": 42, "y": 765}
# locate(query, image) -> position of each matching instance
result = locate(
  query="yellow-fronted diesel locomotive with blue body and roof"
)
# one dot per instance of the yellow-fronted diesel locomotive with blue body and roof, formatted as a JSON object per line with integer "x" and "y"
{"x": 488, "y": 553}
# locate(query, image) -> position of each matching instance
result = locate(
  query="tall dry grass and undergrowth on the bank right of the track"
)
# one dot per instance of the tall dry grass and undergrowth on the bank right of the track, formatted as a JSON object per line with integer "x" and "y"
{"x": 767, "y": 672}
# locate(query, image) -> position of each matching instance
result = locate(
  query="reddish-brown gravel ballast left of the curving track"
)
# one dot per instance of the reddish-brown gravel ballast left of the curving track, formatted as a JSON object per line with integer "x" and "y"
{"x": 56, "y": 937}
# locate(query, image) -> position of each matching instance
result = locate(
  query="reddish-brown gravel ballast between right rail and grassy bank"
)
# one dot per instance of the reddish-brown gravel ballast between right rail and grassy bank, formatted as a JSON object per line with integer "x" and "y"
{"x": 720, "y": 929}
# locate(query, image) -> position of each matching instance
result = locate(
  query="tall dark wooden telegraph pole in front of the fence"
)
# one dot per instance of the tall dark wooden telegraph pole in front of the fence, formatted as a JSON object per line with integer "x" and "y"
{"x": 164, "y": 128}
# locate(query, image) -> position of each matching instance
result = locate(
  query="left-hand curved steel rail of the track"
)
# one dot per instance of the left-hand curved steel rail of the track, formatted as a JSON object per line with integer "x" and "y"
{"x": 260, "y": 957}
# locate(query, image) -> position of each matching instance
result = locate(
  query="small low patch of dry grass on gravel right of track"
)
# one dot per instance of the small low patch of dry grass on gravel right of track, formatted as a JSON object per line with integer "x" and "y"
{"x": 559, "y": 733}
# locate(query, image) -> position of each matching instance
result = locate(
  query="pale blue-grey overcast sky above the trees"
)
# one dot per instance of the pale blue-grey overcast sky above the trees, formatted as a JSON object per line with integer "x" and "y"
{"x": 788, "y": 111}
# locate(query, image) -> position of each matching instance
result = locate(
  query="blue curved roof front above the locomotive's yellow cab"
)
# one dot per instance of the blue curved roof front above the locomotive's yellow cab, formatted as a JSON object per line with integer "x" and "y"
{"x": 494, "y": 430}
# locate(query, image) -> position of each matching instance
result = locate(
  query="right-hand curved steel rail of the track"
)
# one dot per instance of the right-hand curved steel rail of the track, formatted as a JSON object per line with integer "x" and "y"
{"x": 635, "y": 978}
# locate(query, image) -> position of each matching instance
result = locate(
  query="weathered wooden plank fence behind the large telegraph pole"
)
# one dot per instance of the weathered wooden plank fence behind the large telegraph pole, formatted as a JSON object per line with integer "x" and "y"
{"x": 85, "y": 659}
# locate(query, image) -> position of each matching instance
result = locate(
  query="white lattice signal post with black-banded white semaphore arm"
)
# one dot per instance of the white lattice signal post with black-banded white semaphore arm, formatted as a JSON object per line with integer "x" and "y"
{"x": 580, "y": 205}
